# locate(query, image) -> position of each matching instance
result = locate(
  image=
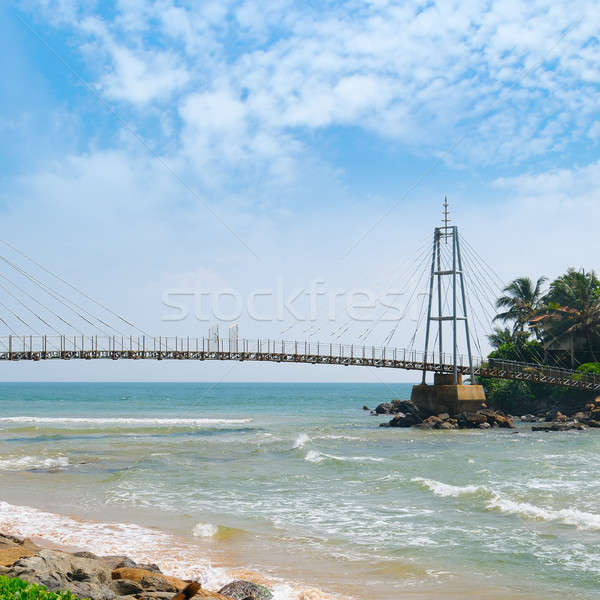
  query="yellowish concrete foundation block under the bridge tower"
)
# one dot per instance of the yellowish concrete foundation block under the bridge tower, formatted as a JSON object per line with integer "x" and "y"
{"x": 446, "y": 396}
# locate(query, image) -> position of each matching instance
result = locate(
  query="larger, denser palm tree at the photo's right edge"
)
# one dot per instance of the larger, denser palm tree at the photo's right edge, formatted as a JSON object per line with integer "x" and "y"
{"x": 573, "y": 306}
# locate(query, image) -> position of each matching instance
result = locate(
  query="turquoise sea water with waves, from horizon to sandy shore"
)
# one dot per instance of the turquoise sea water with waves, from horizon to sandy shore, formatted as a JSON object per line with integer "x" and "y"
{"x": 296, "y": 481}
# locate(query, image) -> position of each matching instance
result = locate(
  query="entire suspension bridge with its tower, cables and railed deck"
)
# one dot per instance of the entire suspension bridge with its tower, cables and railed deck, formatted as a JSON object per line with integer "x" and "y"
{"x": 448, "y": 322}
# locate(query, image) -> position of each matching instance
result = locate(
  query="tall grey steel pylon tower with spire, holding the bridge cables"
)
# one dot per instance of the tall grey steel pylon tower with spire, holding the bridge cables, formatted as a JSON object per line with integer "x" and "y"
{"x": 439, "y": 269}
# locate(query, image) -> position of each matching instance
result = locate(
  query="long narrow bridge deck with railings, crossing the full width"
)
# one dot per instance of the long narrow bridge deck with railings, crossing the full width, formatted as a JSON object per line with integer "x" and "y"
{"x": 37, "y": 348}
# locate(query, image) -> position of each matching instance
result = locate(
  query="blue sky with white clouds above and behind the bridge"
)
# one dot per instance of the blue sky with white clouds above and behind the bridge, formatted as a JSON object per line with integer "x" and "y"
{"x": 173, "y": 148}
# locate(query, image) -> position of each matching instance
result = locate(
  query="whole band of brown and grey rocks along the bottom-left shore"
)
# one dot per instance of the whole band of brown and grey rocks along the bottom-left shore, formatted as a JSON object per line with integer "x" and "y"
{"x": 109, "y": 577}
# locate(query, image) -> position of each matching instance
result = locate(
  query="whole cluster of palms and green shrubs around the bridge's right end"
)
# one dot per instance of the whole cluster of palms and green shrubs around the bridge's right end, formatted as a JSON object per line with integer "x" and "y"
{"x": 558, "y": 326}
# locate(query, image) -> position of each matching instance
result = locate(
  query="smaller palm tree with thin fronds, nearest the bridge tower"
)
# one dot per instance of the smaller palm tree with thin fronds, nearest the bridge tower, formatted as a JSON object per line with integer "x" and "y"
{"x": 522, "y": 302}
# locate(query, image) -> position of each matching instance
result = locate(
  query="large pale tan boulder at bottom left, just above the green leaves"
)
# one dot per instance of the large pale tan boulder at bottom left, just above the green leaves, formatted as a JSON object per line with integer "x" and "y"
{"x": 85, "y": 577}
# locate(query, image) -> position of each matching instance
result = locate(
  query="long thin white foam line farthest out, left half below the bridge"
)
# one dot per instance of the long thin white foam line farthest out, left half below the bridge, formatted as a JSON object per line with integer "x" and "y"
{"x": 144, "y": 421}
